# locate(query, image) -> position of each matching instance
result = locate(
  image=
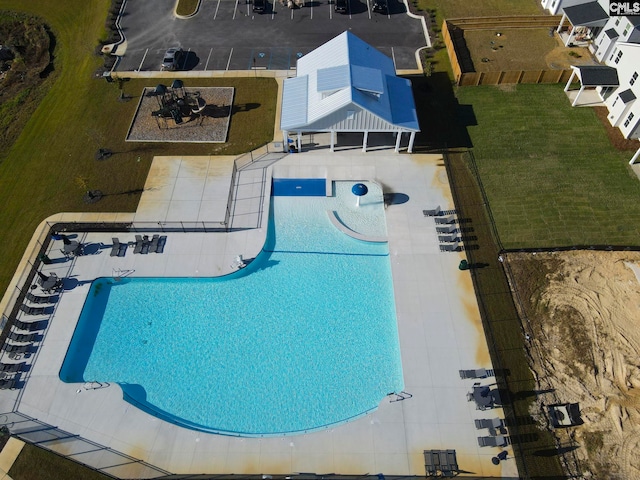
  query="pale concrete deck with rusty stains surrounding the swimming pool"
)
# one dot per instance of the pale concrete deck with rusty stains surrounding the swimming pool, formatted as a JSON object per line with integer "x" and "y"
{"x": 438, "y": 322}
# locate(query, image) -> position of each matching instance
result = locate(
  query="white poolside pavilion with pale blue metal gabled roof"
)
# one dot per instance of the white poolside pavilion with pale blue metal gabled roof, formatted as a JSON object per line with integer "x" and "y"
{"x": 346, "y": 85}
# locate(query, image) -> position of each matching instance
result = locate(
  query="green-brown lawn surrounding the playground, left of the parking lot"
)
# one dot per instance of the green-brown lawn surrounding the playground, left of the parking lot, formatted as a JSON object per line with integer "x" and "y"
{"x": 81, "y": 114}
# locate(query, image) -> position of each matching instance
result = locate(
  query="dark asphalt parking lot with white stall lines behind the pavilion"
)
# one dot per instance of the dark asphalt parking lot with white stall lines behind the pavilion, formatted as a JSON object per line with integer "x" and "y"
{"x": 229, "y": 35}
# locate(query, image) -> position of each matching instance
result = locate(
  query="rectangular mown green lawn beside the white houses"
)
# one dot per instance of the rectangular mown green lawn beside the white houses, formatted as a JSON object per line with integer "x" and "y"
{"x": 550, "y": 173}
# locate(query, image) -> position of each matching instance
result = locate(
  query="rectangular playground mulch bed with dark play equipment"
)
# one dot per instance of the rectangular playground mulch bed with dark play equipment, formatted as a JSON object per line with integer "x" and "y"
{"x": 152, "y": 121}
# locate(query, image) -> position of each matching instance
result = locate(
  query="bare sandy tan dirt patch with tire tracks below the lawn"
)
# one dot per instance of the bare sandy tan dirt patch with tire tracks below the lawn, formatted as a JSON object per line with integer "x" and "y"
{"x": 582, "y": 310}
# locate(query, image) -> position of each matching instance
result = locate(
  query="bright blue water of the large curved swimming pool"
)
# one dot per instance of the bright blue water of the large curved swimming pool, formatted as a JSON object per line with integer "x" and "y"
{"x": 302, "y": 338}
